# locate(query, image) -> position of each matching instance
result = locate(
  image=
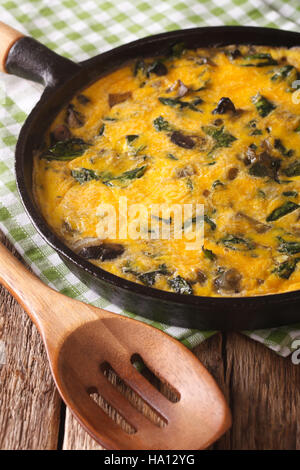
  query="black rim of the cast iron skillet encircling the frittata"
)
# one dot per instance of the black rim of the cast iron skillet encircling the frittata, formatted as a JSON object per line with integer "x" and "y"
{"x": 98, "y": 273}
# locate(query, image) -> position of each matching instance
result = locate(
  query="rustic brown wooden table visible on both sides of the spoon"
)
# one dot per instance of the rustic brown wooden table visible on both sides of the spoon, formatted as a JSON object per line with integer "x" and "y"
{"x": 263, "y": 391}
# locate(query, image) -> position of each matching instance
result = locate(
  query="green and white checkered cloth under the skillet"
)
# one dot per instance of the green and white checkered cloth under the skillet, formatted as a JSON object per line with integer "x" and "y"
{"x": 79, "y": 30}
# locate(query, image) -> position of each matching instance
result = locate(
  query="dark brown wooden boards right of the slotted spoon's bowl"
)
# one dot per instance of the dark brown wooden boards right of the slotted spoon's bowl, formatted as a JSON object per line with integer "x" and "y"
{"x": 263, "y": 392}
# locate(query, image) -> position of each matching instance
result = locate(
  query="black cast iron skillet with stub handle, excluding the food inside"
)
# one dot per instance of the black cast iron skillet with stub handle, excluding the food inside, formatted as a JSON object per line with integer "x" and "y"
{"x": 62, "y": 79}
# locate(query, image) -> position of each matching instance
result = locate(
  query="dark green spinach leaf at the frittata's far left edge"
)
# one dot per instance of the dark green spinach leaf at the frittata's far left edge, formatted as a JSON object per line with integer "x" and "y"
{"x": 67, "y": 150}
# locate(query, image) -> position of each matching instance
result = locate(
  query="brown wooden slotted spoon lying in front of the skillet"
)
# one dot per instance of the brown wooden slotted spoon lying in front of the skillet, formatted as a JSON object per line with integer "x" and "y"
{"x": 80, "y": 339}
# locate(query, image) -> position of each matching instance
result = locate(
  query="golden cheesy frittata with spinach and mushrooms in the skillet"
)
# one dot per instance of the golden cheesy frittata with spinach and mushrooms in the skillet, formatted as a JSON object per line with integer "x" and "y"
{"x": 218, "y": 127}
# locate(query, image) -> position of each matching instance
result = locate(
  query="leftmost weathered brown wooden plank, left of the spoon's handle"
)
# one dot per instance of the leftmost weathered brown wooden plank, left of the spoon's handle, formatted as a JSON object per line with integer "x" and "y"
{"x": 29, "y": 402}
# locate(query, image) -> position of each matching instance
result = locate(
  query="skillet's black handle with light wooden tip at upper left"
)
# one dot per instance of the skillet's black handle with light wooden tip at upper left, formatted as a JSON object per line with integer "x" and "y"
{"x": 27, "y": 58}
